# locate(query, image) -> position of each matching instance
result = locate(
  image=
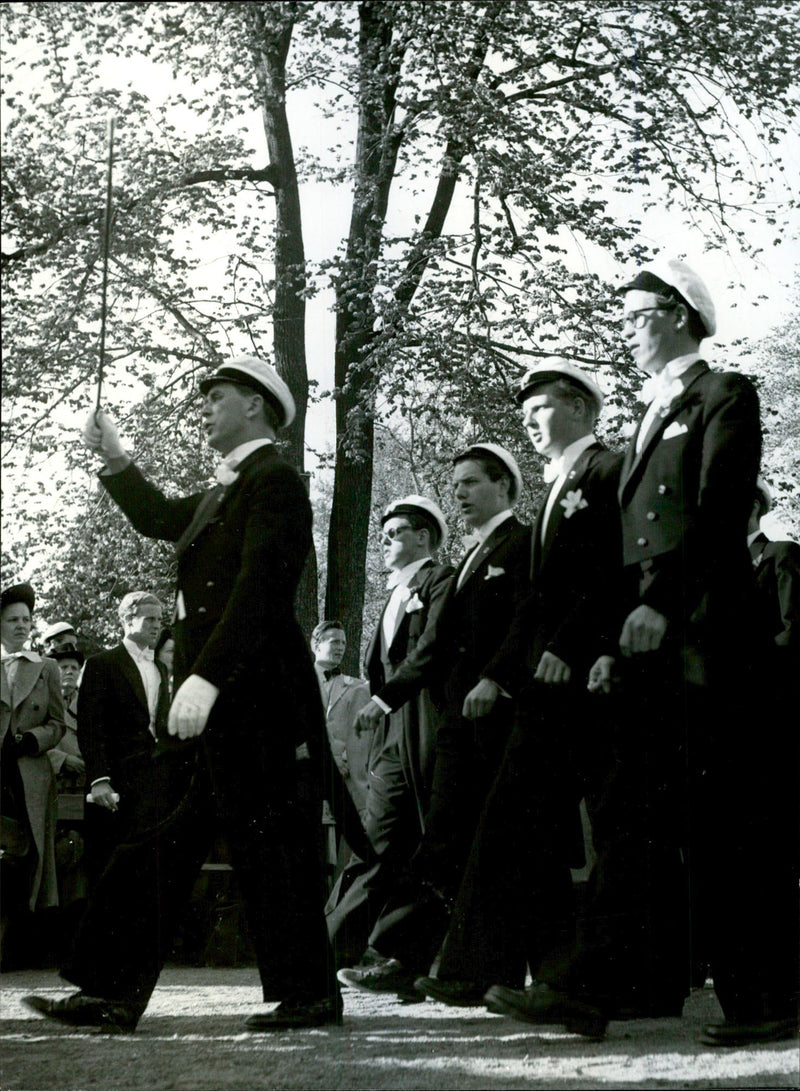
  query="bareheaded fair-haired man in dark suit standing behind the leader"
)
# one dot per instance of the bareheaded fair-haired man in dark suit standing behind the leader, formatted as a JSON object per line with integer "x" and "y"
{"x": 123, "y": 708}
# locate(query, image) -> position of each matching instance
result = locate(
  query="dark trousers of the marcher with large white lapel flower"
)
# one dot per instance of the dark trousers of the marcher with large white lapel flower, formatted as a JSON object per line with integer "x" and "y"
{"x": 516, "y": 902}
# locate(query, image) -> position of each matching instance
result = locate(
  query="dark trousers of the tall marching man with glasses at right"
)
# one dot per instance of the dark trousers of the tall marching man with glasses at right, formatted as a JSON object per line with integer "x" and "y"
{"x": 689, "y": 852}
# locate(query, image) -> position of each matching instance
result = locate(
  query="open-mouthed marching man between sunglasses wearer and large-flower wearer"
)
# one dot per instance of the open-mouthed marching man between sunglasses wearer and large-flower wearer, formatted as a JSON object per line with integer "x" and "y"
{"x": 474, "y": 621}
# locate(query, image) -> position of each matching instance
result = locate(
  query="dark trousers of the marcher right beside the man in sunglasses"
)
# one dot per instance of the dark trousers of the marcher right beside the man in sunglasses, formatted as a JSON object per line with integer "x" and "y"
{"x": 414, "y": 921}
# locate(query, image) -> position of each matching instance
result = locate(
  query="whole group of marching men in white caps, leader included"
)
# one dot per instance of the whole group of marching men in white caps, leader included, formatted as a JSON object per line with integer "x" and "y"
{"x": 623, "y": 652}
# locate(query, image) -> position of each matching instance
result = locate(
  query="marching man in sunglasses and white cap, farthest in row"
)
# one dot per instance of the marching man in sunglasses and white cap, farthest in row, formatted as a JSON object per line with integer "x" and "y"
{"x": 402, "y": 715}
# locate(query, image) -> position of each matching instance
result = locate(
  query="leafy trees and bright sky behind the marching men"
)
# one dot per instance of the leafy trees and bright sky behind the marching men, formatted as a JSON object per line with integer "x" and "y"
{"x": 500, "y": 159}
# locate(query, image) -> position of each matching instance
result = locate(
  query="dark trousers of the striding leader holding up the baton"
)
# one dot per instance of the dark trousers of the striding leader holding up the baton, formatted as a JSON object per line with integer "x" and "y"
{"x": 130, "y": 924}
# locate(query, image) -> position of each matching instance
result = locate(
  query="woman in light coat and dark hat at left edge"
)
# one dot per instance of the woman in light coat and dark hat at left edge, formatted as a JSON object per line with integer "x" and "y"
{"x": 33, "y": 723}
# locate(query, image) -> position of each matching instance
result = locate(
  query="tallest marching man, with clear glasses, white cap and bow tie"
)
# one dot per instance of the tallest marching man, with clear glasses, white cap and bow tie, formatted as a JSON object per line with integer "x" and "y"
{"x": 692, "y": 663}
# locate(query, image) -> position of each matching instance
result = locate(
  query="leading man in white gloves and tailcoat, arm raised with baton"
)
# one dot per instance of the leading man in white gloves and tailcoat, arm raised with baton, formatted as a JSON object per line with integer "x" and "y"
{"x": 246, "y": 699}
